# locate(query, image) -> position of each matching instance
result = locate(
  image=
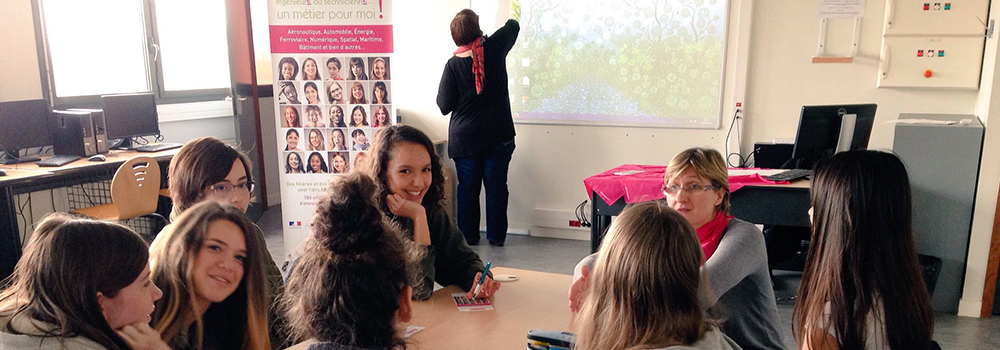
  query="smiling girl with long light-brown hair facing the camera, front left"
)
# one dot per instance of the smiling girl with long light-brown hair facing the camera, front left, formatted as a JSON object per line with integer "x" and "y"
{"x": 209, "y": 265}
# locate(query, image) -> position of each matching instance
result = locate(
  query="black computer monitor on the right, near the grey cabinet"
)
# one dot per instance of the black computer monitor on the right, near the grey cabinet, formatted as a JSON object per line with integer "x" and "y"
{"x": 825, "y": 130}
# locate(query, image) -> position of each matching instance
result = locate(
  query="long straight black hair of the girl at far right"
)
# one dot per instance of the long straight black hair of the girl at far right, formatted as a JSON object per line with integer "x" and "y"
{"x": 862, "y": 259}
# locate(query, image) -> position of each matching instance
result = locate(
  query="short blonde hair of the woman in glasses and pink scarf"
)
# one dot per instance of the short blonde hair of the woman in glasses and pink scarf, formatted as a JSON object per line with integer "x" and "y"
{"x": 708, "y": 164}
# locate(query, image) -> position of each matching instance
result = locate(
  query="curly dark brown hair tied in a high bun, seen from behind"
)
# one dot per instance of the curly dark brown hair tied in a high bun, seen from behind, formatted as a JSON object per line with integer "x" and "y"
{"x": 347, "y": 285}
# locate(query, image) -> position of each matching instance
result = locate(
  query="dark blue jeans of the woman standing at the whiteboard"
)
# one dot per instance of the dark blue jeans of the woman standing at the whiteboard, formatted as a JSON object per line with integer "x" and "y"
{"x": 489, "y": 168}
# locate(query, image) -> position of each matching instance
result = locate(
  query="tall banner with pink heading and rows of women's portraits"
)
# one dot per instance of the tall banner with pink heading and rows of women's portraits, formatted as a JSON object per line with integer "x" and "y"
{"x": 332, "y": 69}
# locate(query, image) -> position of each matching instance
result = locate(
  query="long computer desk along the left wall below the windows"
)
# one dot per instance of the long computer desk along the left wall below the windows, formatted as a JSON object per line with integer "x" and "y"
{"x": 29, "y": 177}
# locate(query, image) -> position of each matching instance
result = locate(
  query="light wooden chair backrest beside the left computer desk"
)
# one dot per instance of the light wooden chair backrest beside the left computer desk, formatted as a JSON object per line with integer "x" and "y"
{"x": 135, "y": 188}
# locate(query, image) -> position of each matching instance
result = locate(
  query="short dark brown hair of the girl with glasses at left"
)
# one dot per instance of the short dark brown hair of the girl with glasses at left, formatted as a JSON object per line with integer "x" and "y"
{"x": 202, "y": 162}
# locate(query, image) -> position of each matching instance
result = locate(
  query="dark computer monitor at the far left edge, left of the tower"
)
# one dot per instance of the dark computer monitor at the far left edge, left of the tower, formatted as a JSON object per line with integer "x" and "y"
{"x": 23, "y": 124}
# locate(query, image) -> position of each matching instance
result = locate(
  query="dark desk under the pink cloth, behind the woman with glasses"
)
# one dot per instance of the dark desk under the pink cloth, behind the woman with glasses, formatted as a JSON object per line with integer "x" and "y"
{"x": 785, "y": 205}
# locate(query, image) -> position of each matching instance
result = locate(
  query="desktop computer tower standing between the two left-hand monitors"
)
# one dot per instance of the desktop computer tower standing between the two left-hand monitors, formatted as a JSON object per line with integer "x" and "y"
{"x": 72, "y": 133}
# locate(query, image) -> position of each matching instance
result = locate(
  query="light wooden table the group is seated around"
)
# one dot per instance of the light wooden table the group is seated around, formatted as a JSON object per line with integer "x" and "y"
{"x": 536, "y": 301}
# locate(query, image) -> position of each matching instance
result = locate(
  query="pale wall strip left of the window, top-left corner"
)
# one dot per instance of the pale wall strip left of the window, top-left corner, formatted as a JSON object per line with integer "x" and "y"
{"x": 19, "y": 61}
